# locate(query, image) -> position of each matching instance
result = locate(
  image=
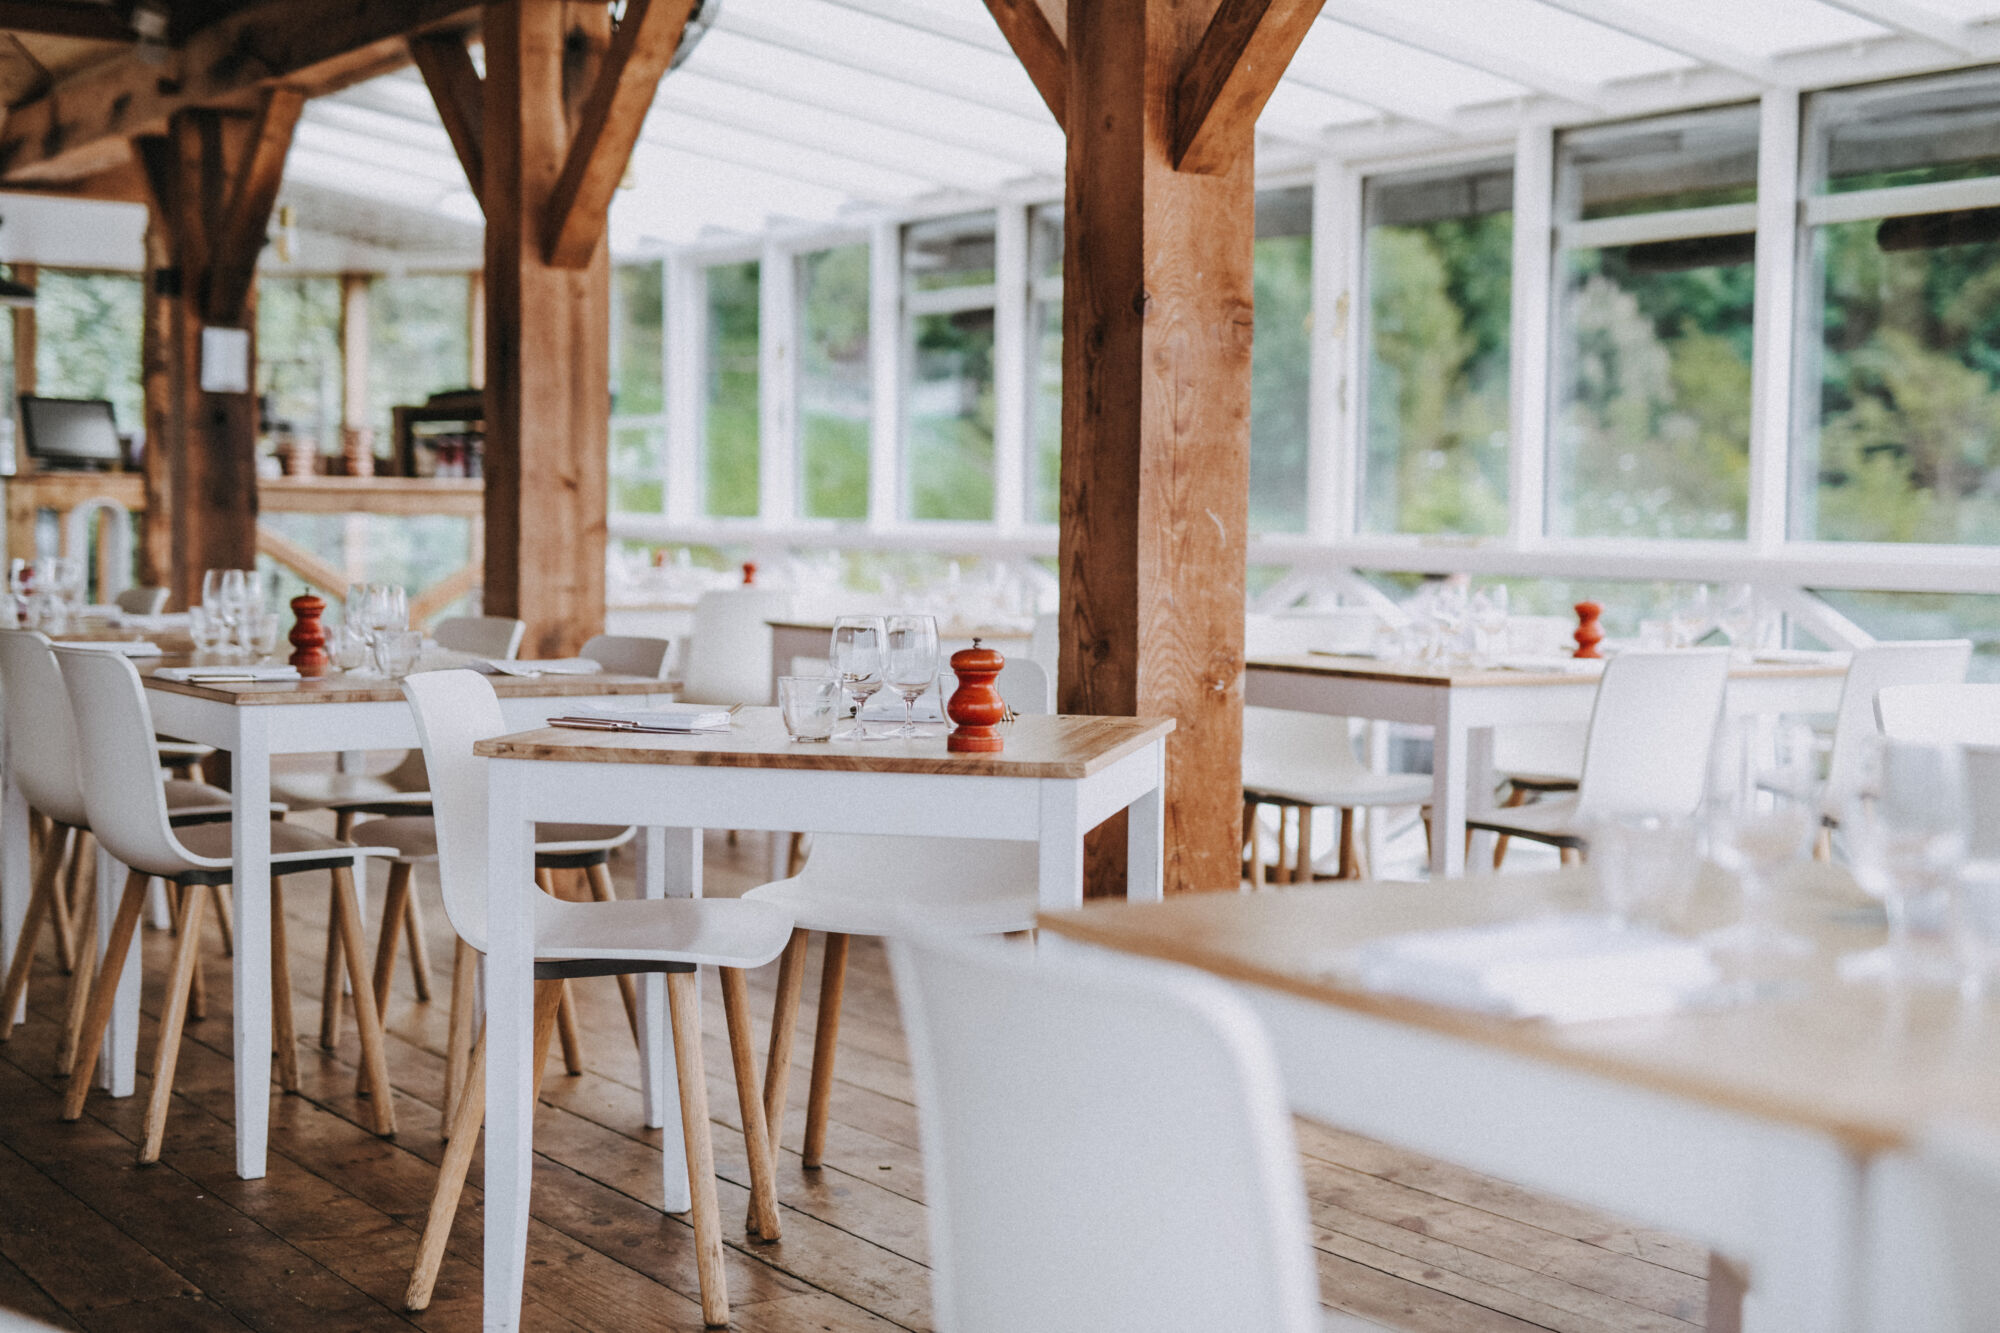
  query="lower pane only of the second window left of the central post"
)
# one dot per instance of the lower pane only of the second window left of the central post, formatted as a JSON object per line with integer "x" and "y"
{"x": 951, "y": 415}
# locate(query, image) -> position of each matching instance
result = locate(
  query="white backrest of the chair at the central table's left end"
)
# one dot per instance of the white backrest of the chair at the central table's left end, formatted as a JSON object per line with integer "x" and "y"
{"x": 457, "y": 710}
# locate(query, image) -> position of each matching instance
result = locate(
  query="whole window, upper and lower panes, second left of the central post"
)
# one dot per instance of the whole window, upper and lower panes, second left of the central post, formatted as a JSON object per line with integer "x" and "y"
{"x": 949, "y": 405}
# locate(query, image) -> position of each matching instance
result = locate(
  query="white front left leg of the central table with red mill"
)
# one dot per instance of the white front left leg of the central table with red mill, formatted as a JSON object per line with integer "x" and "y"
{"x": 509, "y": 1046}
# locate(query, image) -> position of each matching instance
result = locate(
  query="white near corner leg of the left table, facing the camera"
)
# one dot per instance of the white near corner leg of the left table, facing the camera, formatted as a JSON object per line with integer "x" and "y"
{"x": 251, "y": 836}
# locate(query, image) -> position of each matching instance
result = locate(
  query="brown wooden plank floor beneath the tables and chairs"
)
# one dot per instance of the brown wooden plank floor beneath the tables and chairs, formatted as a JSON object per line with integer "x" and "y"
{"x": 325, "y": 1242}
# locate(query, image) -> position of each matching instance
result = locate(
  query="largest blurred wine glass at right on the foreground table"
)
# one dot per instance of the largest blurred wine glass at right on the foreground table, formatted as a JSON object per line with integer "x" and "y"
{"x": 1905, "y": 834}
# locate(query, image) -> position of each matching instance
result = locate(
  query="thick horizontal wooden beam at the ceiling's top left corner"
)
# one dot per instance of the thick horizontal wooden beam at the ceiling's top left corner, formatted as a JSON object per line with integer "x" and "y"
{"x": 79, "y": 125}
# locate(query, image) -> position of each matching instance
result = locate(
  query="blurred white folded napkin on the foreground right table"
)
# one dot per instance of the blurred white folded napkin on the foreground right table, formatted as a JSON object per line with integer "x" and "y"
{"x": 1557, "y": 968}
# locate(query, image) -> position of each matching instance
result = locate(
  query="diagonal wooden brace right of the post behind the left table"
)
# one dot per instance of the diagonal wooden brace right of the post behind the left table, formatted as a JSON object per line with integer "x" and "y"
{"x": 613, "y": 115}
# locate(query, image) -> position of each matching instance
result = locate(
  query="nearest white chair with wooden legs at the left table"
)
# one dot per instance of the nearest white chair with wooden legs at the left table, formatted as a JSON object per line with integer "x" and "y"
{"x": 129, "y": 816}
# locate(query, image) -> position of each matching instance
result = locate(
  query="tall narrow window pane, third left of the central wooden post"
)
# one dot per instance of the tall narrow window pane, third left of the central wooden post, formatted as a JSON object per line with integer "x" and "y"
{"x": 835, "y": 383}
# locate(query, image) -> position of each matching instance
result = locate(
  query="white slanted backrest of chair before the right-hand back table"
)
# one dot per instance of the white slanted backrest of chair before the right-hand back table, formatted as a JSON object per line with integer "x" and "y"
{"x": 1651, "y": 732}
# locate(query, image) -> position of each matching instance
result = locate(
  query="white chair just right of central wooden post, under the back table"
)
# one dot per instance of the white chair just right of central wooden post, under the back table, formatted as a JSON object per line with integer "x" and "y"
{"x": 1305, "y": 762}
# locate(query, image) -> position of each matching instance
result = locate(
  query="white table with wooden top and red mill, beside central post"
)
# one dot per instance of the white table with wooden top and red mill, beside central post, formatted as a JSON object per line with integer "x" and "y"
{"x": 1057, "y": 780}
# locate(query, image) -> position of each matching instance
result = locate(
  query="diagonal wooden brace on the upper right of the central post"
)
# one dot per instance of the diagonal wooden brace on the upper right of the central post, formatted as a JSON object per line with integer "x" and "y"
{"x": 1231, "y": 75}
